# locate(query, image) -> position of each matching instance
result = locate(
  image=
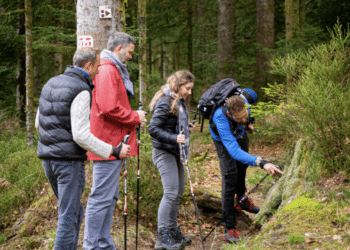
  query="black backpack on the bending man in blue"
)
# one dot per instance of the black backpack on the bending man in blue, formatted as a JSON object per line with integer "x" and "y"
{"x": 216, "y": 96}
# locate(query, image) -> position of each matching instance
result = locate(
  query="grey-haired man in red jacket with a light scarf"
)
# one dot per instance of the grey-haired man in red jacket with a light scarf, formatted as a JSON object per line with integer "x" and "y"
{"x": 111, "y": 119}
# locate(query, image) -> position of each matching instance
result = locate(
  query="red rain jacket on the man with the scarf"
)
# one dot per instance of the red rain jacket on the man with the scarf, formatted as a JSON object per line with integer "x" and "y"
{"x": 111, "y": 116}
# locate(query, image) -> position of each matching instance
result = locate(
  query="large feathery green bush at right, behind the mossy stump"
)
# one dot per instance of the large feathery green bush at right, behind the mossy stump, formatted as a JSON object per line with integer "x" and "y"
{"x": 314, "y": 101}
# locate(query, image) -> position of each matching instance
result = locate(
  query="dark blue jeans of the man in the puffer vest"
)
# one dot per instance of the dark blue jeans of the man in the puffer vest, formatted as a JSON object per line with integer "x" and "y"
{"x": 67, "y": 179}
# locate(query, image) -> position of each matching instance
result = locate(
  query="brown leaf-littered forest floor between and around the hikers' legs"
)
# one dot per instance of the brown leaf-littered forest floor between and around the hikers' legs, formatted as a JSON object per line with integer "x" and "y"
{"x": 41, "y": 236}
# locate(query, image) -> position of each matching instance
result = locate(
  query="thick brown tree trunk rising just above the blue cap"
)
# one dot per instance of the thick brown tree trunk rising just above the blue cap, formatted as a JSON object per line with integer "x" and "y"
{"x": 264, "y": 39}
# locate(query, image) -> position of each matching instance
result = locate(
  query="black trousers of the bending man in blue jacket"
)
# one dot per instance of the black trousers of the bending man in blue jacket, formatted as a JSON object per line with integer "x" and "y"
{"x": 233, "y": 180}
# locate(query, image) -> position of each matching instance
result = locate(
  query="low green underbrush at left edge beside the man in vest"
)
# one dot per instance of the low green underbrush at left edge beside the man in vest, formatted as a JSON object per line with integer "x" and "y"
{"x": 21, "y": 173}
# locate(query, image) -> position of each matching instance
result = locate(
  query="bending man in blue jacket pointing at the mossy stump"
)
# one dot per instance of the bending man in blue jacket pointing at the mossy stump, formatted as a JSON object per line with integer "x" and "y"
{"x": 229, "y": 129}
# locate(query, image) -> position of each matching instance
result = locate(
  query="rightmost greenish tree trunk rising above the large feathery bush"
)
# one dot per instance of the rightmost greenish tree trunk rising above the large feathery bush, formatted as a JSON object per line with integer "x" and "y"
{"x": 295, "y": 17}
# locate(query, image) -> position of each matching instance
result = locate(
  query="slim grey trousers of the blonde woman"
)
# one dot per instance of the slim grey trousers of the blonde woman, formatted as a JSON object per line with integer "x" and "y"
{"x": 173, "y": 180}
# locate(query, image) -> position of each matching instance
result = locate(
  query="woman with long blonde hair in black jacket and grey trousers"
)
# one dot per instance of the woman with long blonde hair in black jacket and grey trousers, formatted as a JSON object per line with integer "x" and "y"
{"x": 170, "y": 114}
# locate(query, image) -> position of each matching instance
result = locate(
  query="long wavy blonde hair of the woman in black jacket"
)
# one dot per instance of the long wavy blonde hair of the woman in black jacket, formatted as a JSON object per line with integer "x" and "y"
{"x": 174, "y": 81}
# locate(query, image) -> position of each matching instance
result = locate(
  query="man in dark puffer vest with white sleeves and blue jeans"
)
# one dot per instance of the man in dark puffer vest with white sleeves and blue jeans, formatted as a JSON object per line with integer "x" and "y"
{"x": 64, "y": 138}
